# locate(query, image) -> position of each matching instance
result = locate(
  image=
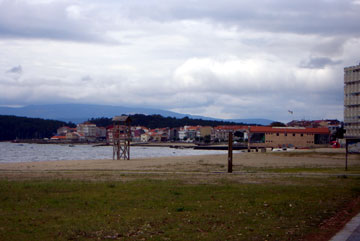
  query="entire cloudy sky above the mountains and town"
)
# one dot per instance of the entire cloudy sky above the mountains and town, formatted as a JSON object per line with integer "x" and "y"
{"x": 224, "y": 59}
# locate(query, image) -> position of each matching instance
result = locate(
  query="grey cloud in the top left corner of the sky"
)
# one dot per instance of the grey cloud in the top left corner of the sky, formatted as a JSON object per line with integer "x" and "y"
{"x": 61, "y": 20}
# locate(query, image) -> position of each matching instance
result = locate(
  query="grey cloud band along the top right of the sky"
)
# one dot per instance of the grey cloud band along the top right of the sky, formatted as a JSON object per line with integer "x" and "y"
{"x": 339, "y": 17}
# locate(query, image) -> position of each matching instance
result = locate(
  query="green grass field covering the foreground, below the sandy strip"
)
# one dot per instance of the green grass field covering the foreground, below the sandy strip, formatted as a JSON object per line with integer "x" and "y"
{"x": 169, "y": 210}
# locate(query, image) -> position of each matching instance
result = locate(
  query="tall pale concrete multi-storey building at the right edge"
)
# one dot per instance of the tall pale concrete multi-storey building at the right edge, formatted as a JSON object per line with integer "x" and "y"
{"x": 352, "y": 101}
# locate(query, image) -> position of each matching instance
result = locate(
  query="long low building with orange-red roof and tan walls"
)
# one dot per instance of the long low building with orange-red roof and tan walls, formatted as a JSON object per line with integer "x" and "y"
{"x": 301, "y": 137}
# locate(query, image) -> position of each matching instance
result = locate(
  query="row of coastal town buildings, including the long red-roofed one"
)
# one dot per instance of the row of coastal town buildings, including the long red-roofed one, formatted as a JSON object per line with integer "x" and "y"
{"x": 296, "y": 134}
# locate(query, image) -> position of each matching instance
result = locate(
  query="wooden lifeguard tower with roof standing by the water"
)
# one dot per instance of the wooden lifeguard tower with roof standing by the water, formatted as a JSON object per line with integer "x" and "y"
{"x": 121, "y": 137}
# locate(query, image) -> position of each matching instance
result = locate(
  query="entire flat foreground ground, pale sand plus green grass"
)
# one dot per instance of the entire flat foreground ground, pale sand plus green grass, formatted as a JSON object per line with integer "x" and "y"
{"x": 299, "y": 195}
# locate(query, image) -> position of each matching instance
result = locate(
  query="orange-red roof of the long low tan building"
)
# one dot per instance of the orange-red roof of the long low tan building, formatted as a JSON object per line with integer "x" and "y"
{"x": 270, "y": 129}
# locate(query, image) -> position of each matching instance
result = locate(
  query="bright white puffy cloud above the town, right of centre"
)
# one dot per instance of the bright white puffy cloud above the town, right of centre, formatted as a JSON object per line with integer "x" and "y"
{"x": 249, "y": 75}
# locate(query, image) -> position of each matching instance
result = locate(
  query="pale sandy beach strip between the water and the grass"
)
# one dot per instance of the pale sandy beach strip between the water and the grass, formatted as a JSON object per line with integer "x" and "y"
{"x": 322, "y": 161}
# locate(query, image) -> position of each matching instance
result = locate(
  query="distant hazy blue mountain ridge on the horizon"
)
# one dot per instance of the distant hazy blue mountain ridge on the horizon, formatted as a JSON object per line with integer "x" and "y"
{"x": 78, "y": 113}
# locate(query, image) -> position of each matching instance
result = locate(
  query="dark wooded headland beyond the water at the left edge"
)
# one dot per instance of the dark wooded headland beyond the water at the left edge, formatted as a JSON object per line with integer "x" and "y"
{"x": 14, "y": 127}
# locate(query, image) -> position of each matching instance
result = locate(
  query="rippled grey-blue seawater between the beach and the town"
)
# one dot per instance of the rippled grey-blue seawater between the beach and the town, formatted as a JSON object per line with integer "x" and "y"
{"x": 15, "y": 152}
